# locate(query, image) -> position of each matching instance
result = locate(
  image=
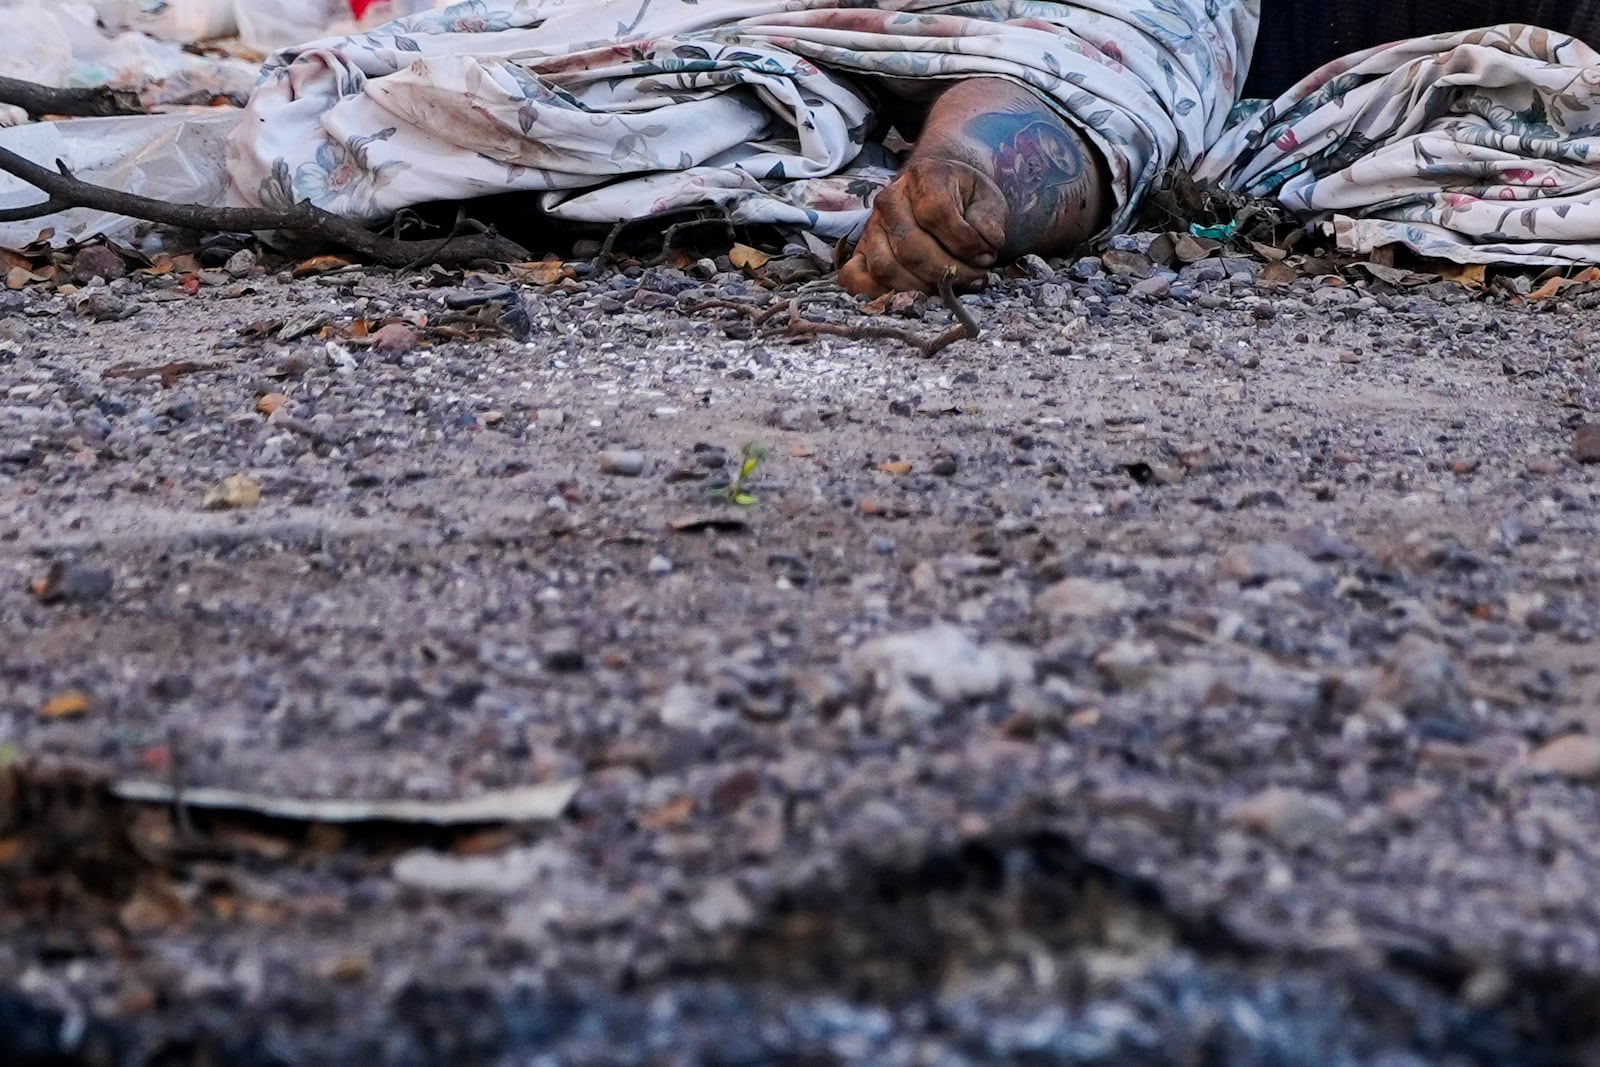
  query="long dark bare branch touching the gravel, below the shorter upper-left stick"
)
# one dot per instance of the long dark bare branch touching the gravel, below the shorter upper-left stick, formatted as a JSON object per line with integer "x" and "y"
{"x": 65, "y": 191}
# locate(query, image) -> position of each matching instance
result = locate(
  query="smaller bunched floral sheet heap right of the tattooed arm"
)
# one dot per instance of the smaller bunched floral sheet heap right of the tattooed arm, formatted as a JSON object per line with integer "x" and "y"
{"x": 1476, "y": 148}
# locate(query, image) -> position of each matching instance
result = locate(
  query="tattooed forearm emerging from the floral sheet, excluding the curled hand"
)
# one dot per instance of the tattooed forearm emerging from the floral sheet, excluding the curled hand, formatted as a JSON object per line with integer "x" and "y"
{"x": 1055, "y": 183}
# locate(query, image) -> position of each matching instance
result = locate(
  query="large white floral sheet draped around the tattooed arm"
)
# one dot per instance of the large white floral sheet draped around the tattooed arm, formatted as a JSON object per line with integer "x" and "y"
{"x": 615, "y": 110}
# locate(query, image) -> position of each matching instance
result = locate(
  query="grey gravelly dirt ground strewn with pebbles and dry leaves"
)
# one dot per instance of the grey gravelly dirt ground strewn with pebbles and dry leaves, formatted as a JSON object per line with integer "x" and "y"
{"x": 1164, "y": 677}
